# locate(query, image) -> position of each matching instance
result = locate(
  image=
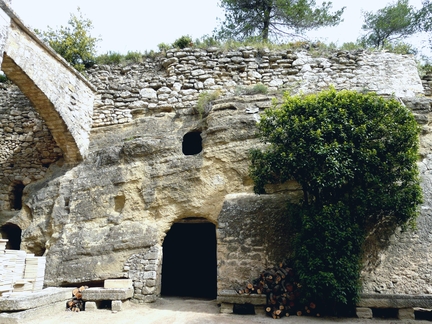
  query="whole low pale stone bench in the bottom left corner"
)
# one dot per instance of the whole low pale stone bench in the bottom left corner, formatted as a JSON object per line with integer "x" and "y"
{"x": 20, "y": 307}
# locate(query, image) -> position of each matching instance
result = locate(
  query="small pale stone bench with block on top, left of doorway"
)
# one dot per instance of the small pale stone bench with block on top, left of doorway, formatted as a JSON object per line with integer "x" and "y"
{"x": 116, "y": 292}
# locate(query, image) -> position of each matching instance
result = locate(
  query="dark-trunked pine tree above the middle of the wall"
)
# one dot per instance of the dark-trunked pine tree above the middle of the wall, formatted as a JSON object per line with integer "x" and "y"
{"x": 266, "y": 18}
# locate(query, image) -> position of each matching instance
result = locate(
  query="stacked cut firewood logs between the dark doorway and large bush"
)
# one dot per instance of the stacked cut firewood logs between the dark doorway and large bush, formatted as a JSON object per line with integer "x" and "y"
{"x": 282, "y": 290}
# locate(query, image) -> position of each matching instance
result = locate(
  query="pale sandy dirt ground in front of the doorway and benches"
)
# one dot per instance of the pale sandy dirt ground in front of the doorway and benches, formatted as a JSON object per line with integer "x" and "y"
{"x": 173, "y": 310}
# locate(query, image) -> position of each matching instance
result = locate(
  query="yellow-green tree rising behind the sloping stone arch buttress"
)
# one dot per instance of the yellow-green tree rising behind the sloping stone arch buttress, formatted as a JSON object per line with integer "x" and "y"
{"x": 74, "y": 42}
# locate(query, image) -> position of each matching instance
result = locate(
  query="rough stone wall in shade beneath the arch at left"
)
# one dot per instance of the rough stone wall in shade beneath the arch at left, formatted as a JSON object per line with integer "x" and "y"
{"x": 27, "y": 147}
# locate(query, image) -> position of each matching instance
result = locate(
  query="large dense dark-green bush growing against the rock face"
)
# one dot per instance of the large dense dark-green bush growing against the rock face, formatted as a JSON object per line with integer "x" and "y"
{"x": 355, "y": 157}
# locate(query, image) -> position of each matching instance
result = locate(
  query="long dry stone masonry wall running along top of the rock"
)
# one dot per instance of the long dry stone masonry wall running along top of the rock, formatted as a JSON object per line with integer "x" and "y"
{"x": 173, "y": 83}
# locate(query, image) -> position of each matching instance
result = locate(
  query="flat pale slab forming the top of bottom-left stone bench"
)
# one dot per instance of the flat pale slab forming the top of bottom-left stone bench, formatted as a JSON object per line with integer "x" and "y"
{"x": 28, "y": 300}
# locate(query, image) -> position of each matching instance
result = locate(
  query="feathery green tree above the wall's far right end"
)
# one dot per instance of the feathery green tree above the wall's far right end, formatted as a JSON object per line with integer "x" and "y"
{"x": 389, "y": 24}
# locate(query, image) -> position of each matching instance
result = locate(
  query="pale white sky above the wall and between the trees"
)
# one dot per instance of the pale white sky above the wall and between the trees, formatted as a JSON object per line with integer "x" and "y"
{"x": 140, "y": 25}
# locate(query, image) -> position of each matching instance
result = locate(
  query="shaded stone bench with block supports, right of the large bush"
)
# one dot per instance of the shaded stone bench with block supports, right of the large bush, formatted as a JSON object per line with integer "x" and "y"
{"x": 406, "y": 305}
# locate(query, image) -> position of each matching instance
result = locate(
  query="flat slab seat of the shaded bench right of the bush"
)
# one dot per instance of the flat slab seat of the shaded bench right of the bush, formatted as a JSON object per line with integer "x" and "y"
{"x": 394, "y": 301}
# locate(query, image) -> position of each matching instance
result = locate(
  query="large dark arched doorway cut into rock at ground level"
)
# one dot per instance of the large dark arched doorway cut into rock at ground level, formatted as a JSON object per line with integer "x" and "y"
{"x": 189, "y": 260}
